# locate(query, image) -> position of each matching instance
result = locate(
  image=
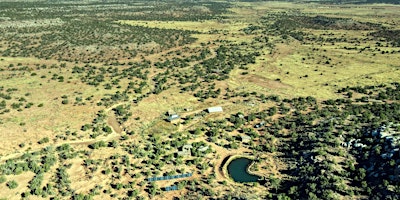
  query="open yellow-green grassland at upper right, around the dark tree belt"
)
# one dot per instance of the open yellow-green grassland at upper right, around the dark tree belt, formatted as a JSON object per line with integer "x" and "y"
{"x": 283, "y": 71}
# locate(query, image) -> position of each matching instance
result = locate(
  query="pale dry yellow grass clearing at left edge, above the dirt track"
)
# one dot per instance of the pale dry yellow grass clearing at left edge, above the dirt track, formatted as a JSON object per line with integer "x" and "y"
{"x": 30, "y": 125}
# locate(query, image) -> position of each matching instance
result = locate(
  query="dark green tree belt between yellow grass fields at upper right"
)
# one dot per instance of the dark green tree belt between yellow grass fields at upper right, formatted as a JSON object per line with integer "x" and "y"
{"x": 291, "y": 25}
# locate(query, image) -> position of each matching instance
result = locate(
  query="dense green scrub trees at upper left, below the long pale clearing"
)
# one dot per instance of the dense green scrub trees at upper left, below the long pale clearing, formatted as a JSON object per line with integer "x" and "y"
{"x": 72, "y": 40}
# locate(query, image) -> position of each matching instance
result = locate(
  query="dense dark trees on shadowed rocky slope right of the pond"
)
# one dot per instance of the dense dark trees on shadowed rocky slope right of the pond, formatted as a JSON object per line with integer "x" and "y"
{"x": 315, "y": 145}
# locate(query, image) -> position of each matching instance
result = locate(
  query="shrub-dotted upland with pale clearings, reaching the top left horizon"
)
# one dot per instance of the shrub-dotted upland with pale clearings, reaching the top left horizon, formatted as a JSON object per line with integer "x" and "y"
{"x": 58, "y": 31}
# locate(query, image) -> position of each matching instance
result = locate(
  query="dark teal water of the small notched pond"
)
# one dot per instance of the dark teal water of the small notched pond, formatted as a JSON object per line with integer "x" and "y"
{"x": 237, "y": 169}
